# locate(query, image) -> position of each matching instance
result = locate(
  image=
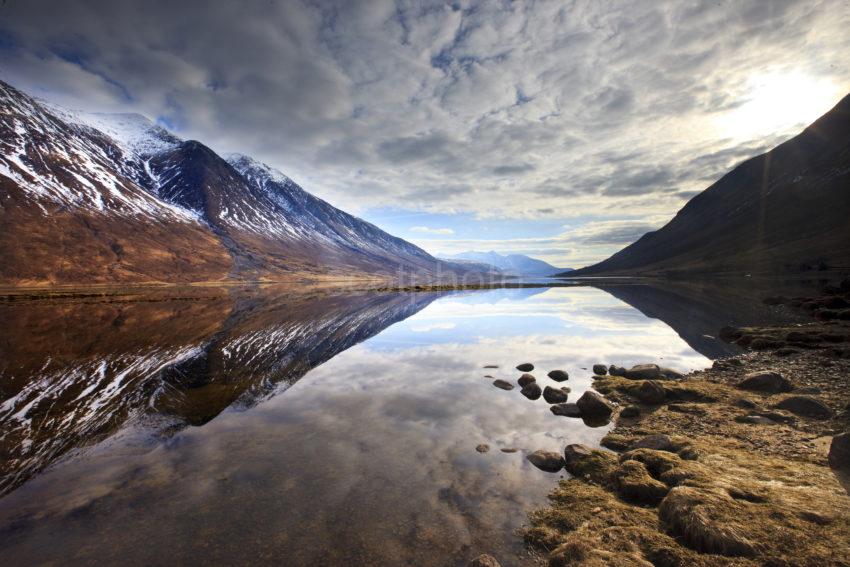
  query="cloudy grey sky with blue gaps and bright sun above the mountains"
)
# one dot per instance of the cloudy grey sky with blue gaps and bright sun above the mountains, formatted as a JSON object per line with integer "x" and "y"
{"x": 562, "y": 130}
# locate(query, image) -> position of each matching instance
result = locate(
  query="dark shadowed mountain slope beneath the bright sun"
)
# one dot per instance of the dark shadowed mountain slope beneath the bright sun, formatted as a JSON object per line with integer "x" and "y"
{"x": 785, "y": 211}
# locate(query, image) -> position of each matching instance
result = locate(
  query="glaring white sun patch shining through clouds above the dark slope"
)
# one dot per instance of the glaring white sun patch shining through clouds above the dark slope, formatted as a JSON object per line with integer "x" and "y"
{"x": 777, "y": 102}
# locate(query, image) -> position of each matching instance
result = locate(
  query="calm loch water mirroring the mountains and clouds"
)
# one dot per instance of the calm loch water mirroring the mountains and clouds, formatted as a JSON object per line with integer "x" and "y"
{"x": 246, "y": 427}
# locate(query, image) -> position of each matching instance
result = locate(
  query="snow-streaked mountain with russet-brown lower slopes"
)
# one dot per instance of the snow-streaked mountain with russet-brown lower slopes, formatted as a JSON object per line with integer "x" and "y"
{"x": 97, "y": 198}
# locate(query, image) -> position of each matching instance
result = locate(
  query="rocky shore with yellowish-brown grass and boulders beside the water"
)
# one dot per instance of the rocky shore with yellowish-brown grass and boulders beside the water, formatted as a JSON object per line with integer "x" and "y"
{"x": 744, "y": 463}
